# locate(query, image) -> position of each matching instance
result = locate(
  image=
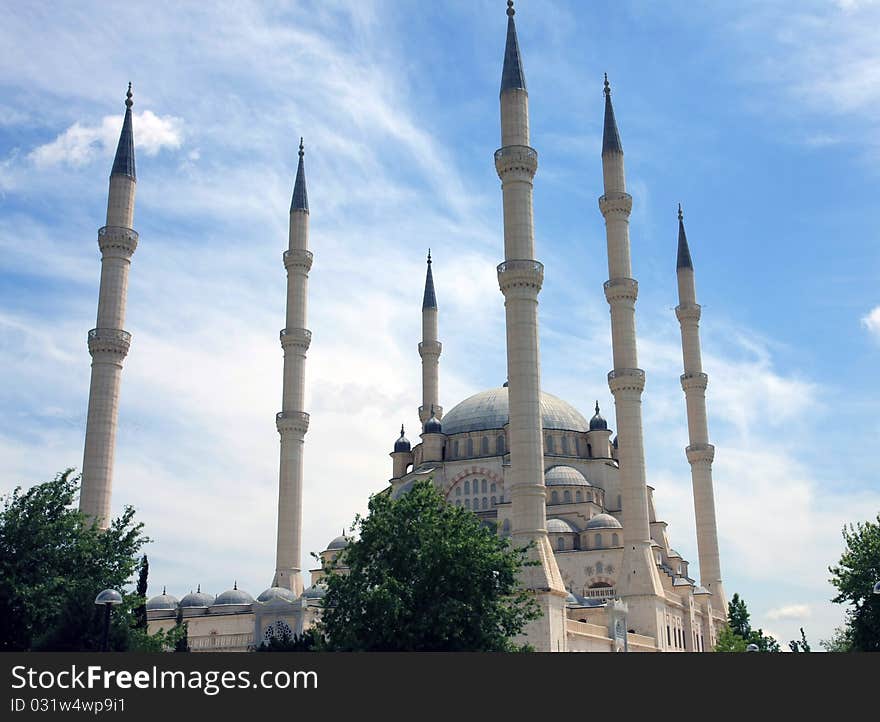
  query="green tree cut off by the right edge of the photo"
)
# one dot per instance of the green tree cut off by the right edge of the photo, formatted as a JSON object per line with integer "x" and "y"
{"x": 854, "y": 577}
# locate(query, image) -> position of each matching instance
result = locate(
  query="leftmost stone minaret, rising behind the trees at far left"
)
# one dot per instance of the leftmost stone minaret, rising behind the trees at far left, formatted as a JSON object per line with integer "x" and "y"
{"x": 108, "y": 342}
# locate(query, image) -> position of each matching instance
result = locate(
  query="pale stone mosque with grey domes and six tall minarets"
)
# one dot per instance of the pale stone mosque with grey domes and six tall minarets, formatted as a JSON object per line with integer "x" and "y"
{"x": 518, "y": 457}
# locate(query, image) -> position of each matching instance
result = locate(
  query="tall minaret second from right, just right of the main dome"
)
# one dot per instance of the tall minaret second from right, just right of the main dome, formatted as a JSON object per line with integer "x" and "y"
{"x": 638, "y": 580}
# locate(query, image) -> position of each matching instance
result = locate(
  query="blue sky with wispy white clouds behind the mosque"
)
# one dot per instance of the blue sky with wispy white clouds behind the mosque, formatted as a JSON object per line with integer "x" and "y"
{"x": 761, "y": 118}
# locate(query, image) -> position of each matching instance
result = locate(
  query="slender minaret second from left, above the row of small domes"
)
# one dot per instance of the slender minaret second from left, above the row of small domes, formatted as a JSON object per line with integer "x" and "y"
{"x": 292, "y": 422}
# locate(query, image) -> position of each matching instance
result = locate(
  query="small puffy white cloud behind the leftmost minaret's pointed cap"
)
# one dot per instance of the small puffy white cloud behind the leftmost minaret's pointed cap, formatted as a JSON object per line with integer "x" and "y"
{"x": 81, "y": 144}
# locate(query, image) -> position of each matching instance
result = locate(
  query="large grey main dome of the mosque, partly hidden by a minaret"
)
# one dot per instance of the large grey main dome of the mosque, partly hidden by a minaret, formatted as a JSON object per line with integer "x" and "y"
{"x": 491, "y": 410}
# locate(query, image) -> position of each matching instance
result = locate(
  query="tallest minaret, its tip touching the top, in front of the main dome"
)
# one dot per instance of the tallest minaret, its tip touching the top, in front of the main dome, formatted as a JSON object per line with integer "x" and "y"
{"x": 520, "y": 278}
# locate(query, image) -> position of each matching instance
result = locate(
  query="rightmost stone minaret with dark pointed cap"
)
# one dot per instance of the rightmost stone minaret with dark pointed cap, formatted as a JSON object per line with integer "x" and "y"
{"x": 700, "y": 453}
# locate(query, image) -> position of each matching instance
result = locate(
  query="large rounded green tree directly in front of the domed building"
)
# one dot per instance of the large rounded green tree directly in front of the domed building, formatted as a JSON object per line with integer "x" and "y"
{"x": 424, "y": 575}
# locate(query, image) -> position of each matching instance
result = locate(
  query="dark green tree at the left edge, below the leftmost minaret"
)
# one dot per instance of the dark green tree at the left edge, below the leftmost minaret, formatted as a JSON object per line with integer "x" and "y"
{"x": 53, "y": 563}
